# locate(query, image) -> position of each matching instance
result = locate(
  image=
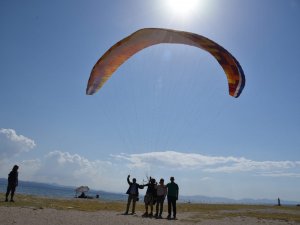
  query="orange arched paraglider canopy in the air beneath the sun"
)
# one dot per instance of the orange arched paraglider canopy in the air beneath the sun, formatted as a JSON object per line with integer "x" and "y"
{"x": 141, "y": 39}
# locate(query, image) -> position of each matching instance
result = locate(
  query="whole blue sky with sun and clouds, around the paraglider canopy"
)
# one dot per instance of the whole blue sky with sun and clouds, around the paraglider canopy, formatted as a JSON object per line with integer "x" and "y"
{"x": 166, "y": 111}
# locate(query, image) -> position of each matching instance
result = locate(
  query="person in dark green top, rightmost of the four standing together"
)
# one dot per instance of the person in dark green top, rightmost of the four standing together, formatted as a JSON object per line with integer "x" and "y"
{"x": 173, "y": 191}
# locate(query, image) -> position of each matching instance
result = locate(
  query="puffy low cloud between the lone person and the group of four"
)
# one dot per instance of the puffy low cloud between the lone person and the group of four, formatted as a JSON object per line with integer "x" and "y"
{"x": 72, "y": 169}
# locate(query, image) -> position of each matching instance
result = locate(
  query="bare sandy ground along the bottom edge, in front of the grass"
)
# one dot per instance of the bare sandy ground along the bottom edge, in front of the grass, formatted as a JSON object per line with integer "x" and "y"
{"x": 33, "y": 216}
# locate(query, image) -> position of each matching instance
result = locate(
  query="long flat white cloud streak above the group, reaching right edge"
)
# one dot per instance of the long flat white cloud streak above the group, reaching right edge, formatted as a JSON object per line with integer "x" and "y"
{"x": 210, "y": 164}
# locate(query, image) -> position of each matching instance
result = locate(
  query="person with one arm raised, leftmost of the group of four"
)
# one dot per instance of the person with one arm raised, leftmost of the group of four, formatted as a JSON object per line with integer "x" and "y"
{"x": 133, "y": 194}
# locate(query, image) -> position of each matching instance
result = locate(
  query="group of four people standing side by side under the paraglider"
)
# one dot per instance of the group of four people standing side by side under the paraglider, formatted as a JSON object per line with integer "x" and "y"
{"x": 155, "y": 194}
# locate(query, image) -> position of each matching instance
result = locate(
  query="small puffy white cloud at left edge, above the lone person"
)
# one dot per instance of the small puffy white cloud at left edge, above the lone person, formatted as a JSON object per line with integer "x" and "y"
{"x": 13, "y": 144}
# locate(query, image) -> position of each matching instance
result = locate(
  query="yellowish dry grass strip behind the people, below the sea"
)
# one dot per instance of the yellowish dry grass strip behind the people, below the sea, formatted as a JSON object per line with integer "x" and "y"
{"x": 197, "y": 212}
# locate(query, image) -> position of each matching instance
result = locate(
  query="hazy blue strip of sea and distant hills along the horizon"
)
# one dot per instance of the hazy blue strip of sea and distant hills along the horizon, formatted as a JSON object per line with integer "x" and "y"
{"x": 187, "y": 199}
